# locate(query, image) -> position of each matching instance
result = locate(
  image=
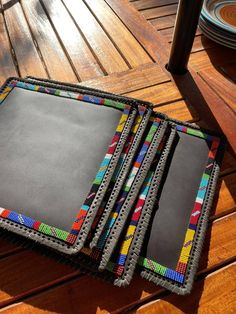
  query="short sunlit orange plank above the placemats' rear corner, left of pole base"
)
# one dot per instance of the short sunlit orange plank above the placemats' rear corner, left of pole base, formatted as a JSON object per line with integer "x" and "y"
{"x": 157, "y": 94}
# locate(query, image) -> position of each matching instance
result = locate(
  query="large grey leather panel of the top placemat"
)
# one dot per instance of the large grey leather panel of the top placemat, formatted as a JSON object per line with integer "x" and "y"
{"x": 51, "y": 148}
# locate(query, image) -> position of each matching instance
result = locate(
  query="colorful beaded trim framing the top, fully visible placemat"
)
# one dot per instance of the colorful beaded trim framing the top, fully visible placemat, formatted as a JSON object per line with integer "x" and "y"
{"x": 71, "y": 236}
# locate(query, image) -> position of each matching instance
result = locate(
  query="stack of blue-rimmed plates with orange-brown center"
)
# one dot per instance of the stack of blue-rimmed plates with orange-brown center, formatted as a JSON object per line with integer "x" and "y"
{"x": 218, "y": 21}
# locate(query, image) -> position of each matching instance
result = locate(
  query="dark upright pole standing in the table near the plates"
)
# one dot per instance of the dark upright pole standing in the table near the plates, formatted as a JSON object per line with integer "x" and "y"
{"x": 185, "y": 28}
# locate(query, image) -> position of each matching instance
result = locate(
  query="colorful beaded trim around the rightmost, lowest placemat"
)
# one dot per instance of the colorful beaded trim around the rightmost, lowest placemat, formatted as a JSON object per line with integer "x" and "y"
{"x": 178, "y": 274}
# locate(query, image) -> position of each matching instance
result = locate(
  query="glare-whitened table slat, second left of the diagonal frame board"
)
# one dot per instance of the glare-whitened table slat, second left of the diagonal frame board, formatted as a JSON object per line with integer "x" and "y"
{"x": 102, "y": 46}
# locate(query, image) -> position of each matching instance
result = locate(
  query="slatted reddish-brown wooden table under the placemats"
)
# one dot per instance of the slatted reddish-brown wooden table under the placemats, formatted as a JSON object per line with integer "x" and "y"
{"x": 108, "y": 44}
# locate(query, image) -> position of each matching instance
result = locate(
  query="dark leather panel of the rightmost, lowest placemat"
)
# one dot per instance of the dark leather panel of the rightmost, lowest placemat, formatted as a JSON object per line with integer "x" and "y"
{"x": 180, "y": 185}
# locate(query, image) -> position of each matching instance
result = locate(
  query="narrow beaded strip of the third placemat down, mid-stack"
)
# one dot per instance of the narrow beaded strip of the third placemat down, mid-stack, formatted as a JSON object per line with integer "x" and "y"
{"x": 96, "y": 252}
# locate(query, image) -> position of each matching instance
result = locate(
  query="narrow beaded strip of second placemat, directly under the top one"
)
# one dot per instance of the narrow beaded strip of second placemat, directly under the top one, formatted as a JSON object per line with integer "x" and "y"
{"x": 119, "y": 166}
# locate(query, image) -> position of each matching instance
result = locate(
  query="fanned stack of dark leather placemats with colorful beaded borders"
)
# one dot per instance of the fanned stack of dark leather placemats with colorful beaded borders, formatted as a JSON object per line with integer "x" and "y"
{"x": 105, "y": 181}
